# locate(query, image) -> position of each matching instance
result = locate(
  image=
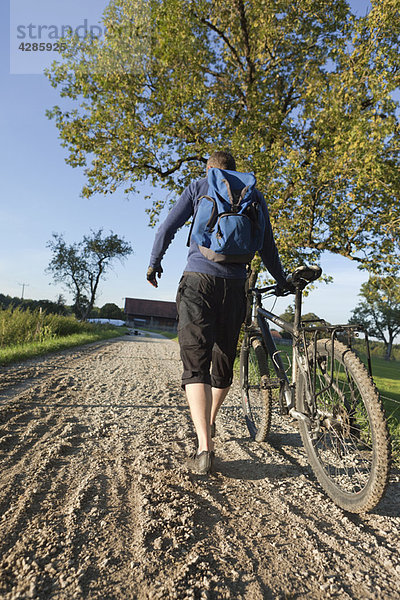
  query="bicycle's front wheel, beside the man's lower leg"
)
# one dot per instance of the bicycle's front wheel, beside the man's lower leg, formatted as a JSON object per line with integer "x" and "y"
{"x": 256, "y": 396}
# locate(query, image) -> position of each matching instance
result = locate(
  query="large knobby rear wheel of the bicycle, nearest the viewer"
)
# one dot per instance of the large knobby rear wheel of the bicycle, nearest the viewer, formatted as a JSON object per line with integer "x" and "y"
{"x": 346, "y": 438}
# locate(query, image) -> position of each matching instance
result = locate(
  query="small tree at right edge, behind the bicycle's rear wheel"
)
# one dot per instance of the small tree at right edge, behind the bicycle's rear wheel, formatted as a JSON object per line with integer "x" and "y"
{"x": 379, "y": 310}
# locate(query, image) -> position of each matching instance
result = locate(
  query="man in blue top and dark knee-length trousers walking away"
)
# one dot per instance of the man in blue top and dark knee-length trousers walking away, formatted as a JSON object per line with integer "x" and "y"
{"x": 211, "y": 307}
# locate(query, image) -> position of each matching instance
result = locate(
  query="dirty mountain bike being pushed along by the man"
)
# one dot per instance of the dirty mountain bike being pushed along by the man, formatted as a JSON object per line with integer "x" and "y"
{"x": 326, "y": 388}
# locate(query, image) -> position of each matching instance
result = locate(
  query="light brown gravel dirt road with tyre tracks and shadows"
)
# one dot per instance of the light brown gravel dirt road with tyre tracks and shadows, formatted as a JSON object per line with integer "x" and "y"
{"x": 96, "y": 502}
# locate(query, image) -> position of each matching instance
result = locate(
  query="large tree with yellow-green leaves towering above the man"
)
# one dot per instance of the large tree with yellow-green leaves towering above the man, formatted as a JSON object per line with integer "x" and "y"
{"x": 302, "y": 92}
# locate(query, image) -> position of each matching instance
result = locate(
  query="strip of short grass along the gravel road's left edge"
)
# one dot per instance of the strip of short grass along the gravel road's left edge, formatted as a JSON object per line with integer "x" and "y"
{"x": 20, "y": 352}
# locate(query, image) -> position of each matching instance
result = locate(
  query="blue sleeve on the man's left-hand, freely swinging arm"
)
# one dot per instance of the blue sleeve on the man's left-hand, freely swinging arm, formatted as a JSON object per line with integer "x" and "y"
{"x": 176, "y": 218}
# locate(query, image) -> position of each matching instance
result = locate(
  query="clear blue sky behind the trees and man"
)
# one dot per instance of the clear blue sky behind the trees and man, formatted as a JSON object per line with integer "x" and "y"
{"x": 40, "y": 193}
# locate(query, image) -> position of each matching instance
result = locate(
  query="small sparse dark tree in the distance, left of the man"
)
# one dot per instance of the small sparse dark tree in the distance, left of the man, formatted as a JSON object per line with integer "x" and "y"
{"x": 82, "y": 265}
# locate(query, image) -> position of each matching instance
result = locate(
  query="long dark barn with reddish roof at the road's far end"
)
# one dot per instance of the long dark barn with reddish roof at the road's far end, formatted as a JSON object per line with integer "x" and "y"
{"x": 155, "y": 314}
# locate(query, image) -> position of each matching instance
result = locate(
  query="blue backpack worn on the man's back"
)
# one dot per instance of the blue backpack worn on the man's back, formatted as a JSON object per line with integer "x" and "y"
{"x": 229, "y": 224}
